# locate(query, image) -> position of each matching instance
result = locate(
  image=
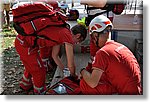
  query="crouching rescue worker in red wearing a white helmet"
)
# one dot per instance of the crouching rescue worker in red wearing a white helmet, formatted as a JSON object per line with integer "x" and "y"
{"x": 114, "y": 69}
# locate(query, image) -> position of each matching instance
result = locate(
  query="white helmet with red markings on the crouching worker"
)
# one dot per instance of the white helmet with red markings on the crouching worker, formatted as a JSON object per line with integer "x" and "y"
{"x": 99, "y": 23}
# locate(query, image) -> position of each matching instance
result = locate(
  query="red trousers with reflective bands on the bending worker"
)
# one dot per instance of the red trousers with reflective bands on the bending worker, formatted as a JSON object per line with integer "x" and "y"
{"x": 34, "y": 73}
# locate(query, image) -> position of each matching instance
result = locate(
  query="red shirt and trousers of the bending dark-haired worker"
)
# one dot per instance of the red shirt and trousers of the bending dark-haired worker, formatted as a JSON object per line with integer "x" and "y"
{"x": 35, "y": 72}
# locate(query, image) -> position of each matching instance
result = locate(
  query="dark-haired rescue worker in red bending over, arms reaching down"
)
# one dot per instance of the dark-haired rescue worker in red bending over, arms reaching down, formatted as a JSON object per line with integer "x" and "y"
{"x": 35, "y": 72}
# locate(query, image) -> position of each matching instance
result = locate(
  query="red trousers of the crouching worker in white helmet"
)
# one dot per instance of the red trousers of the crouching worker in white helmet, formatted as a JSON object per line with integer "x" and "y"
{"x": 101, "y": 89}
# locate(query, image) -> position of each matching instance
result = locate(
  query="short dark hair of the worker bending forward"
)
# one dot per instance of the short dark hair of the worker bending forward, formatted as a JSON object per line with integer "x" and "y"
{"x": 79, "y": 29}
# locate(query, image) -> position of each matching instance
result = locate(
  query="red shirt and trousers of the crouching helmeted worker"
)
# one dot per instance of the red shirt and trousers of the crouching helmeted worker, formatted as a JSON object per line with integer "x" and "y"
{"x": 121, "y": 71}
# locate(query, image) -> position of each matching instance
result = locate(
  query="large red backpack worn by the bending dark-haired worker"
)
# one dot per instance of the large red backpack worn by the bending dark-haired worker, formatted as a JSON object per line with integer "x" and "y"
{"x": 31, "y": 18}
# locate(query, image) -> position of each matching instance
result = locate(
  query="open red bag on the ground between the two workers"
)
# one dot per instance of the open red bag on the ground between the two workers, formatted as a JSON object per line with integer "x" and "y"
{"x": 66, "y": 86}
